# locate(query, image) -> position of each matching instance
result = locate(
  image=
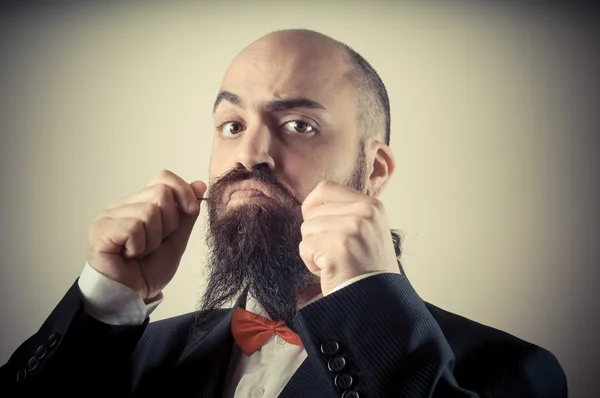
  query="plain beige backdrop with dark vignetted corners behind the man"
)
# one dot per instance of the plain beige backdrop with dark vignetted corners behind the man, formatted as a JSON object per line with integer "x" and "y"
{"x": 496, "y": 189}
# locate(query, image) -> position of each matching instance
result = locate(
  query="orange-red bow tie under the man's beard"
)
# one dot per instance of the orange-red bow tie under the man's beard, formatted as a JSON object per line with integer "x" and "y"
{"x": 252, "y": 331}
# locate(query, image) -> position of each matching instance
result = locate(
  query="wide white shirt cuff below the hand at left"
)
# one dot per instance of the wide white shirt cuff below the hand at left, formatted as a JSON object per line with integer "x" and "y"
{"x": 111, "y": 302}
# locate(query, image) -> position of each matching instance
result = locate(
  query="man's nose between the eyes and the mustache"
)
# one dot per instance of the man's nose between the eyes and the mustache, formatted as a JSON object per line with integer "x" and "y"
{"x": 255, "y": 148}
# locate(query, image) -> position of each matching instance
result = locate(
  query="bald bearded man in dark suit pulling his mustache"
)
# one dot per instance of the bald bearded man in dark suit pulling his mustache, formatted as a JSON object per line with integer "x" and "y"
{"x": 299, "y": 244}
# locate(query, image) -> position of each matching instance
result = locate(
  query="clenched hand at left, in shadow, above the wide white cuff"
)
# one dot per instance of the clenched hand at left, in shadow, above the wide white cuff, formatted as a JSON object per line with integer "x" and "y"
{"x": 139, "y": 240}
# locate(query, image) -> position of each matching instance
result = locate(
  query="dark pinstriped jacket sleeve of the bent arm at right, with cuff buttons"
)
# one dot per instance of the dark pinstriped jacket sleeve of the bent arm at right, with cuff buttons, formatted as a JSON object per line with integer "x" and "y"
{"x": 376, "y": 338}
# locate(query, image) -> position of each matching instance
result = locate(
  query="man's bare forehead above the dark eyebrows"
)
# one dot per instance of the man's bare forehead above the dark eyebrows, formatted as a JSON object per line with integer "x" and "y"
{"x": 280, "y": 70}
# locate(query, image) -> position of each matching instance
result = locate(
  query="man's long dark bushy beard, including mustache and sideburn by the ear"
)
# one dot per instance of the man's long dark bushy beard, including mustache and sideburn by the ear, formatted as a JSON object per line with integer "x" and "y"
{"x": 253, "y": 247}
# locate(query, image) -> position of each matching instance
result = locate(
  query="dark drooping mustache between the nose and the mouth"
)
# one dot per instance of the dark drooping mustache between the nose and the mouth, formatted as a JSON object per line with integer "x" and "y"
{"x": 259, "y": 173}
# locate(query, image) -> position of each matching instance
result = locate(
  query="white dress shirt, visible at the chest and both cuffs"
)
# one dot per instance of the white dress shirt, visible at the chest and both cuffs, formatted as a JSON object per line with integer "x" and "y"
{"x": 262, "y": 374}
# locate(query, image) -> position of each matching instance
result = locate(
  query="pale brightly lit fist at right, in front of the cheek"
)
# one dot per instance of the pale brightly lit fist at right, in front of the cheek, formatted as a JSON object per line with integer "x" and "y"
{"x": 345, "y": 234}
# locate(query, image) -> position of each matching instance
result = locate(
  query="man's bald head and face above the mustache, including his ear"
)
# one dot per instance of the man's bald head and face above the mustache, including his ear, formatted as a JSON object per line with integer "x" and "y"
{"x": 308, "y": 107}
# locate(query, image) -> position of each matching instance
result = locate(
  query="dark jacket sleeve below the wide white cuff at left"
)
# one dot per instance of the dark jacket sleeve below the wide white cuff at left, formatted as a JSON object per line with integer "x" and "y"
{"x": 71, "y": 350}
